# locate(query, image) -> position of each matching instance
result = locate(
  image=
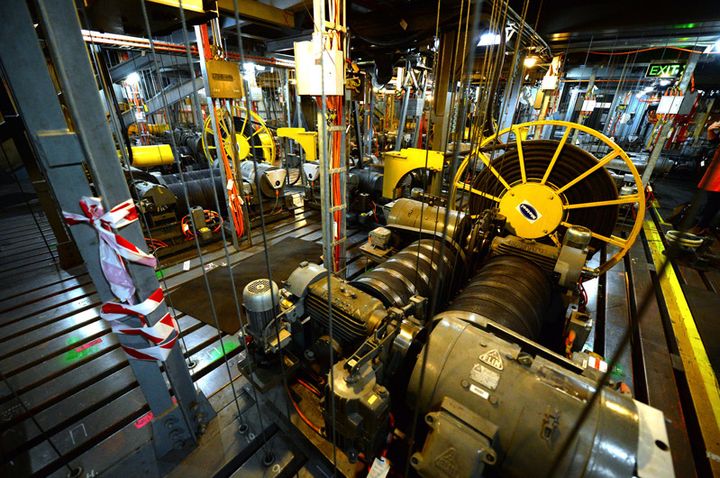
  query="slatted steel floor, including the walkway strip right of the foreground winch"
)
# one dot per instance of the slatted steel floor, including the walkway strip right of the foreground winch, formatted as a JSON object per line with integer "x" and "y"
{"x": 68, "y": 397}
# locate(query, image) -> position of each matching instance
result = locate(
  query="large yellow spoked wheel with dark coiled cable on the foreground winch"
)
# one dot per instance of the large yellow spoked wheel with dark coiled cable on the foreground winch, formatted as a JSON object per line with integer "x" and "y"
{"x": 544, "y": 187}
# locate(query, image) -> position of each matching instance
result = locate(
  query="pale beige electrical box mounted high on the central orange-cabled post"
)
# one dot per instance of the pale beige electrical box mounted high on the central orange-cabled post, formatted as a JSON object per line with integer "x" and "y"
{"x": 313, "y": 75}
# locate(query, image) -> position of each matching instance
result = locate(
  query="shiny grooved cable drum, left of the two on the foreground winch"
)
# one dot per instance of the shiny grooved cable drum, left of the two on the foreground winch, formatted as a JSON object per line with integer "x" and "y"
{"x": 416, "y": 270}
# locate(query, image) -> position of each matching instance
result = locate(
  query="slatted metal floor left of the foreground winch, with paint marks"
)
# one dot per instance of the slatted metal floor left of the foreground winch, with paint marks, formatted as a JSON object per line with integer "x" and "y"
{"x": 65, "y": 379}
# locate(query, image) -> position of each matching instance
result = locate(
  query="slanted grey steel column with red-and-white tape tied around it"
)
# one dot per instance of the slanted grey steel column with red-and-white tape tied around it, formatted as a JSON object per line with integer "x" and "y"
{"x": 62, "y": 154}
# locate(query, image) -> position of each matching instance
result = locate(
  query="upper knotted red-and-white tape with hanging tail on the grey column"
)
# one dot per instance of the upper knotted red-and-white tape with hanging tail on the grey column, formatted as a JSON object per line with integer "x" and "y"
{"x": 113, "y": 247}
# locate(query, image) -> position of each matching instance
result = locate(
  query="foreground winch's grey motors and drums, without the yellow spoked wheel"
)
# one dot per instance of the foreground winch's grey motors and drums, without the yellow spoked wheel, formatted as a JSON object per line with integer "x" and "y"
{"x": 490, "y": 399}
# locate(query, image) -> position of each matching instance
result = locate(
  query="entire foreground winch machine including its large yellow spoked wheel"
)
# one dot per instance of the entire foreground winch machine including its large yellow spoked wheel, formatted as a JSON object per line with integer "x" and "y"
{"x": 489, "y": 380}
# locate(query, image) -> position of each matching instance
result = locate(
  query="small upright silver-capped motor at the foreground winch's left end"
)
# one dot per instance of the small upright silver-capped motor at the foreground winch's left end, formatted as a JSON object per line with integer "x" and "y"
{"x": 261, "y": 300}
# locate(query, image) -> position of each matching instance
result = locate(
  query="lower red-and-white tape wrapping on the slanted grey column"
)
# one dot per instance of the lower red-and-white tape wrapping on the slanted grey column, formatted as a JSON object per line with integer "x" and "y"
{"x": 163, "y": 334}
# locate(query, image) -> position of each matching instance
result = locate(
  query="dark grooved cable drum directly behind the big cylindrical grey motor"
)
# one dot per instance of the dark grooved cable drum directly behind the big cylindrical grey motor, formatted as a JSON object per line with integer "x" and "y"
{"x": 510, "y": 291}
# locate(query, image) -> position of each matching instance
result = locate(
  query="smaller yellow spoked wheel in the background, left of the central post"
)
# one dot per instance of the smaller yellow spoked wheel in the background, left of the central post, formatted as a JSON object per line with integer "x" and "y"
{"x": 252, "y": 136}
